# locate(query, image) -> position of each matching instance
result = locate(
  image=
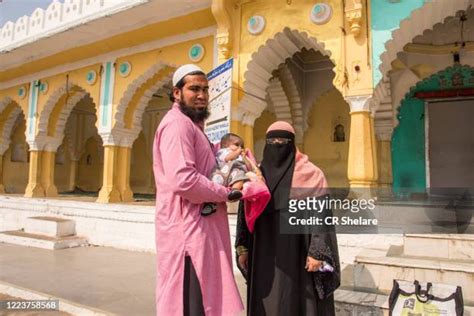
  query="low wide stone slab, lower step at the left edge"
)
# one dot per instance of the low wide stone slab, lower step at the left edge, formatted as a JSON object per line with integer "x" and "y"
{"x": 41, "y": 241}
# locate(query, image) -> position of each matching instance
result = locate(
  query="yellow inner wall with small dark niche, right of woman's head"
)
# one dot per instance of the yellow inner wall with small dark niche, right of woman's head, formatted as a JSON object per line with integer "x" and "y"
{"x": 328, "y": 111}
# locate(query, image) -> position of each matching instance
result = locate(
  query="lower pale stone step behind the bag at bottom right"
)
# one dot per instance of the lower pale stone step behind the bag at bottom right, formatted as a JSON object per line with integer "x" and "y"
{"x": 376, "y": 274}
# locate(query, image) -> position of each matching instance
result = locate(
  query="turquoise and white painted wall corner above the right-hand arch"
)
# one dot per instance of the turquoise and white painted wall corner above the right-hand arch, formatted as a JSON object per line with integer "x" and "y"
{"x": 385, "y": 18}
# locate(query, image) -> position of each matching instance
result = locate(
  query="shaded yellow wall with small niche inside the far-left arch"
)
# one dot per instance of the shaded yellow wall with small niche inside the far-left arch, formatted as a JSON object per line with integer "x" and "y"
{"x": 15, "y": 174}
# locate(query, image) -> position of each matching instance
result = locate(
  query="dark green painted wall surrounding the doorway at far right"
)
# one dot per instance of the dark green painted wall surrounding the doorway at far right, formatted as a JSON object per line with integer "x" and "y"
{"x": 408, "y": 140}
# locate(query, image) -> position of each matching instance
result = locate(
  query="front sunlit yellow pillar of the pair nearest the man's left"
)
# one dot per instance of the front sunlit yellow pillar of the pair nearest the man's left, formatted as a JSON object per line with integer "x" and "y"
{"x": 109, "y": 193}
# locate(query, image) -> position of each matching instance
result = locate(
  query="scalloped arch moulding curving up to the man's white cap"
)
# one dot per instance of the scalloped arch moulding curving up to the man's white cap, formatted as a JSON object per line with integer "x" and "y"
{"x": 132, "y": 89}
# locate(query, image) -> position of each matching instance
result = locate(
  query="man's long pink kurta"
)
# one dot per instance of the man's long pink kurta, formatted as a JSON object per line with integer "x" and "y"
{"x": 182, "y": 158}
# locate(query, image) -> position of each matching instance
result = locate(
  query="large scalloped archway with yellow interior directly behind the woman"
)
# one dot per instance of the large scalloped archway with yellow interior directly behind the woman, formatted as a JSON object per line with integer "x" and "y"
{"x": 291, "y": 78}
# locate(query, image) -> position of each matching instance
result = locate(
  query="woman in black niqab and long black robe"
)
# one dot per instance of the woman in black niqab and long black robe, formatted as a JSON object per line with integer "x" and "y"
{"x": 277, "y": 281}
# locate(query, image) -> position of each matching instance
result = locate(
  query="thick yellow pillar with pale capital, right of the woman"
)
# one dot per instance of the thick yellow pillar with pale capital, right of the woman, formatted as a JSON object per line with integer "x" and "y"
{"x": 362, "y": 162}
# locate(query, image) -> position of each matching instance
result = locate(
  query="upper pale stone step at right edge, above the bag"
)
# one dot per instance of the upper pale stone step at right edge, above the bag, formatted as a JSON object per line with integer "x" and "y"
{"x": 449, "y": 246}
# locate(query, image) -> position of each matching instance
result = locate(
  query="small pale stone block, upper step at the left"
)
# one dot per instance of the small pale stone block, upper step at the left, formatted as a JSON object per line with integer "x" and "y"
{"x": 50, "y": 226}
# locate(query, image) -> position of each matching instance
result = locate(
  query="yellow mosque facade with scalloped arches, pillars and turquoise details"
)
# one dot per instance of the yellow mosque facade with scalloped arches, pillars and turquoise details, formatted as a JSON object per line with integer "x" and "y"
{"x": 379, "y": 92}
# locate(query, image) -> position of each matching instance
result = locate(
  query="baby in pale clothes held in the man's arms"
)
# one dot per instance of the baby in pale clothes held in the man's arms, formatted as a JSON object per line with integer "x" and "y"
{"x": 231, "y": 169}
